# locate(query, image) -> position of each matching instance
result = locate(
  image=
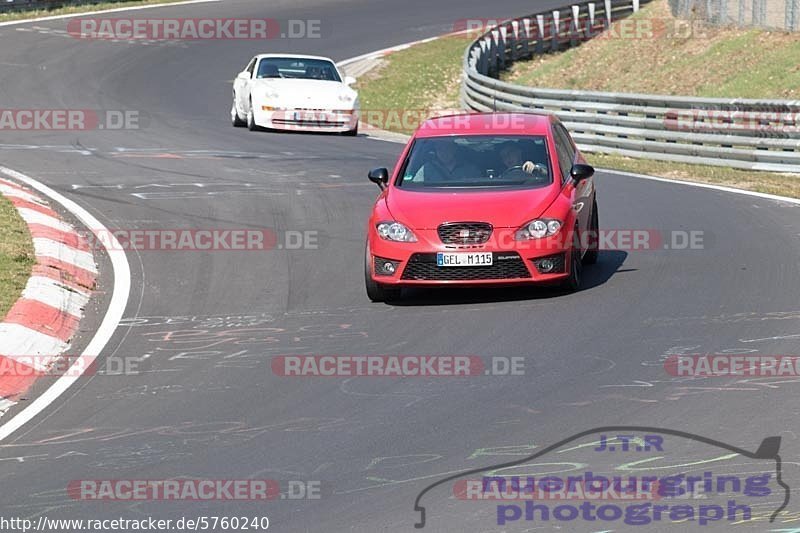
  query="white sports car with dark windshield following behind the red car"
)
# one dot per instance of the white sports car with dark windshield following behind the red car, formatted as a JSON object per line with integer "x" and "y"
{"x": 292, "y": 92}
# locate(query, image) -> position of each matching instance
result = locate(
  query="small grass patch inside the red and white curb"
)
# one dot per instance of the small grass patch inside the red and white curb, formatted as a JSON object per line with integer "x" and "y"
{"x": 16, "y": 255}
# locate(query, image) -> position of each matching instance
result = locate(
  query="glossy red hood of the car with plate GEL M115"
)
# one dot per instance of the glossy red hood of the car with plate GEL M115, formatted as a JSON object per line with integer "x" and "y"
{"x": 502, "y": 209}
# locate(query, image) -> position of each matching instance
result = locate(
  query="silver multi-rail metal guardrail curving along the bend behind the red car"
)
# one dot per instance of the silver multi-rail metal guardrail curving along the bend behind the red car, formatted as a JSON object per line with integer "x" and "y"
{"x": 739, "y": 133}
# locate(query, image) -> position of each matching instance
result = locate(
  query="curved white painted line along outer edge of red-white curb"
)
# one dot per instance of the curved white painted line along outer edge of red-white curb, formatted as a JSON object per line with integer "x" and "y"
{"x": 114, "y": 313}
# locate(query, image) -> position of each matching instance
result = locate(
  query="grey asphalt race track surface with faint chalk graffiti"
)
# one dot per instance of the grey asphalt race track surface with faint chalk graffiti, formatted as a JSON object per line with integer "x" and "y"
{"x": 209, "y": 405}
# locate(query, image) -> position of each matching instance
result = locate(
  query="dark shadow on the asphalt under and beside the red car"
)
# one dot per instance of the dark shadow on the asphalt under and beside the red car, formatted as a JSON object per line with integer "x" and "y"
{"x": 595, "y": 275}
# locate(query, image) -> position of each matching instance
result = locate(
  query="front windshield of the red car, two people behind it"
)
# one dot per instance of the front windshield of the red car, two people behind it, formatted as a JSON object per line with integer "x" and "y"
{"x": 476, "y": 161}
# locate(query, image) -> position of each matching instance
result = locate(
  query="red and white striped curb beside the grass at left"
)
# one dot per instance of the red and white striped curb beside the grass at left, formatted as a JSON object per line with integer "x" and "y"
{"x": 40, "y": 325}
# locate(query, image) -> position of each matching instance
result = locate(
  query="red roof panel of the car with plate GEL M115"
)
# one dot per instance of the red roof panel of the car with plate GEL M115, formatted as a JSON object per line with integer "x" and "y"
{"x": 486, "y": 123}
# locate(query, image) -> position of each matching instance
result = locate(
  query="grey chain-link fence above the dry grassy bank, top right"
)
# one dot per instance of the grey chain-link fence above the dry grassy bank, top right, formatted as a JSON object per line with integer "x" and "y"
{"x": 768, "y": 14}
